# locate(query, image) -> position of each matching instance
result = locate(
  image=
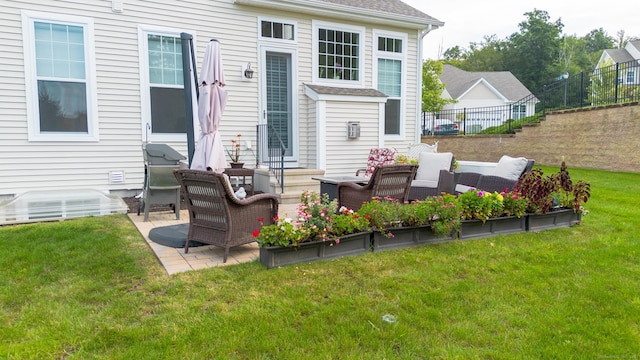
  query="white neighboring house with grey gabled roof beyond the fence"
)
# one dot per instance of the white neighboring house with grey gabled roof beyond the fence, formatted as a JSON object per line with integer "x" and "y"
{"x": 477, "y": 91}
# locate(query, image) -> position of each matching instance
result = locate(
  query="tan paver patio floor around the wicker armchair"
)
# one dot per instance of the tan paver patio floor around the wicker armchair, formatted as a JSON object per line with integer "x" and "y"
{"x": 174, "y": 260}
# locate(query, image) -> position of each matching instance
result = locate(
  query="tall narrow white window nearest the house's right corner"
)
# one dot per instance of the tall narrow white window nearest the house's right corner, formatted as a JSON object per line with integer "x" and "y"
{"x": 390, "y": 62}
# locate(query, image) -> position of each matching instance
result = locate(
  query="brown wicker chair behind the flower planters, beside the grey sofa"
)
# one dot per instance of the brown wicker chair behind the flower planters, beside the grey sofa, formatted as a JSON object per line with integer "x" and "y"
{"x": 388, "y": 180}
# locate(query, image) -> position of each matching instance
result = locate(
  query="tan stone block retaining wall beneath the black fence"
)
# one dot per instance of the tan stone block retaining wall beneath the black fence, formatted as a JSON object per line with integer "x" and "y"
{"x": 606, "y": 138}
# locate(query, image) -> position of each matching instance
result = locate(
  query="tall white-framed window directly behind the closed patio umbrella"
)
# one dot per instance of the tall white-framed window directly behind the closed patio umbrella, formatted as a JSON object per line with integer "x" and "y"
{"x": 162, "y": 86}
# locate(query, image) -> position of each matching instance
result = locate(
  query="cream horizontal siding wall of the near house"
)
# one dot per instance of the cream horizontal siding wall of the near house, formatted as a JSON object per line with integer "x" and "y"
{"x": 45, "y": 165}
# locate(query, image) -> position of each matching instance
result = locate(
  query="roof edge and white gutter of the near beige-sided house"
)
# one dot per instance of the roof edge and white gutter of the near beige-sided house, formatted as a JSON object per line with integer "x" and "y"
{"x": 392, "y": 12}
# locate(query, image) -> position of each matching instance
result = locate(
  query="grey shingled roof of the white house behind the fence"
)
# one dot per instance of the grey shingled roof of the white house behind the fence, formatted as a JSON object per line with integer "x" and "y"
{"x": 458, "y": 82}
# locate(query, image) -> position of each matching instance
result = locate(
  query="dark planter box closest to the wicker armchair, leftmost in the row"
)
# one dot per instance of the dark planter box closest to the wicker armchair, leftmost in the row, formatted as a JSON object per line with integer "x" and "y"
{"x": 276, "y": 256}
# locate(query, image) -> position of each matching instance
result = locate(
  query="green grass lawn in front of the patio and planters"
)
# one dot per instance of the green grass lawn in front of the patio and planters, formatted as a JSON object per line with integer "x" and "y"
{"x": 91, "y": 288}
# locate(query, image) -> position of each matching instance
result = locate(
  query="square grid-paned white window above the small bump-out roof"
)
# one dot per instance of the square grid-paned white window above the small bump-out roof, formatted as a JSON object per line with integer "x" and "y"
{"x": 338, "y": 54}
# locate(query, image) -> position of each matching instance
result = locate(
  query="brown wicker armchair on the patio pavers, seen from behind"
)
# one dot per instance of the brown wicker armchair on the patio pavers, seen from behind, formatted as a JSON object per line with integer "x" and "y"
{"x": 216, "y": 216}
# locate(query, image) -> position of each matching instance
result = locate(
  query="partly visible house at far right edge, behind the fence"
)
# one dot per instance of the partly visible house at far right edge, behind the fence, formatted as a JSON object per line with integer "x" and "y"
{"x": 628, "y": 57}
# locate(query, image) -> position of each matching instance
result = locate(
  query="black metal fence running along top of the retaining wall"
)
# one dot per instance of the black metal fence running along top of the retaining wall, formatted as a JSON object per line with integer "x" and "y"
{"x": 618, "y": 83}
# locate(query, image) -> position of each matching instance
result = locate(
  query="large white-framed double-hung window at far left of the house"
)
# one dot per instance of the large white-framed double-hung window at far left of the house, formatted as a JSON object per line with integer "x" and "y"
{"x": 60, "y": 77}
